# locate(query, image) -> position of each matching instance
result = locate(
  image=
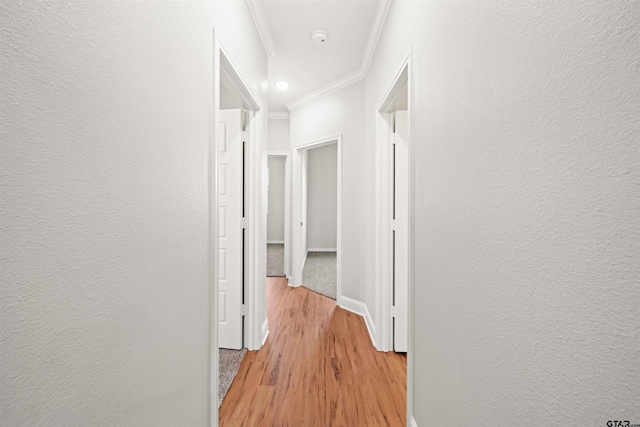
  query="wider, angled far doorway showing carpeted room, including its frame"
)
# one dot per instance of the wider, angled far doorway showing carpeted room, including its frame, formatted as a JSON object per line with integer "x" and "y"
{"x": 317, "y": 215}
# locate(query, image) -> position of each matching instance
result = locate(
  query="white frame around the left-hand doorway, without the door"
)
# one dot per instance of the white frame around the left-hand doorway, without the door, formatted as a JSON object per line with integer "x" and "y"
{"x": 225, "y": 71}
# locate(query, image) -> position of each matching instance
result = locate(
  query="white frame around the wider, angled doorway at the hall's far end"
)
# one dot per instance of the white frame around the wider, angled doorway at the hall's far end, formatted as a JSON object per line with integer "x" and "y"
{"x": 297, "y": 258}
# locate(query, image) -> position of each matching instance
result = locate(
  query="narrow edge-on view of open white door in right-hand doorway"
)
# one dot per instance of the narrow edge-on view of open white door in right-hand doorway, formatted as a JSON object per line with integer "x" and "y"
{"x": 401, "y": 232}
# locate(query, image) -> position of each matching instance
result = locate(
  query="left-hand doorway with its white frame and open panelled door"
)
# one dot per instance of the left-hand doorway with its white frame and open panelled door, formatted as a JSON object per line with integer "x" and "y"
{"x": 235, "y": 204}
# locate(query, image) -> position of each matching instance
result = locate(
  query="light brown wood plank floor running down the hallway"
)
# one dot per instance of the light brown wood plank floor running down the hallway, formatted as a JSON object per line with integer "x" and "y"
{"x": 317, "y": 368}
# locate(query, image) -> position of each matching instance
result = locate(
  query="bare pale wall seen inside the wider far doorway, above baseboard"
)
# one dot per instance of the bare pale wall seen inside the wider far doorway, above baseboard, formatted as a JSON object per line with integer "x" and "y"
{"x": 322, "y": 202}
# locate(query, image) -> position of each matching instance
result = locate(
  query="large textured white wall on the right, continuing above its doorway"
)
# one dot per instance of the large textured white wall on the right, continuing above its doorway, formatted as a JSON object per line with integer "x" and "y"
{"x": 526, "y": 208}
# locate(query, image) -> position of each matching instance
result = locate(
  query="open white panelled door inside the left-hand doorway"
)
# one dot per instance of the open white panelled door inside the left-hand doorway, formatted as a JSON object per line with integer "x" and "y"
{"x": 231, "y": 264}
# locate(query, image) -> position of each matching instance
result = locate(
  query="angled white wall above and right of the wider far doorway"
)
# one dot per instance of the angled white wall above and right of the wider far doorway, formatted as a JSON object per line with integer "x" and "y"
{"x": 342, "y": 112}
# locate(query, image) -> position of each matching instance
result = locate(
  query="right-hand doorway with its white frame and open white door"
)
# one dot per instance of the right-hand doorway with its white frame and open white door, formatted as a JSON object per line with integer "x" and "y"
{"x": 394, "y": 220}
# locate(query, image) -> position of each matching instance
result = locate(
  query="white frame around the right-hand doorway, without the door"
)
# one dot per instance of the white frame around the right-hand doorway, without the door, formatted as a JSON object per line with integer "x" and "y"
{"x": 384, "y": 215}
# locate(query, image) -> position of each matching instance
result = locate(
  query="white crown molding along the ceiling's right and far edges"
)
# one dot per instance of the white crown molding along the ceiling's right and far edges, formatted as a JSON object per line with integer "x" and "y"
{"x": 361, "y": 73}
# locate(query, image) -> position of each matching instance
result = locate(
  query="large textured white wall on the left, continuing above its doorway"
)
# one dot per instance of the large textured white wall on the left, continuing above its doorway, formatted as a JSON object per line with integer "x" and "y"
{"x": 105, "y": 117}
